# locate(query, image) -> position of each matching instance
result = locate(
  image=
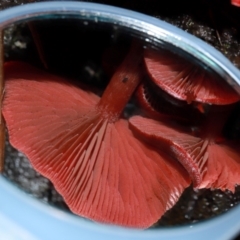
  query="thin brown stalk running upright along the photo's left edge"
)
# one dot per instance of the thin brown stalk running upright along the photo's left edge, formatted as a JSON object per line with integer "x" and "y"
{"x": 2, "y": 123}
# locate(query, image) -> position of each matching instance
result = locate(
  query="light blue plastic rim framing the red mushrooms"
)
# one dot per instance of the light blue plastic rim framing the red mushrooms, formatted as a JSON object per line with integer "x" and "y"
{"x": 25, "y": 218}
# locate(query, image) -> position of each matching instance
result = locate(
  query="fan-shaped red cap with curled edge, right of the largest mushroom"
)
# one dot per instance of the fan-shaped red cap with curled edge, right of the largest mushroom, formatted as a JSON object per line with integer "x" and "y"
{"x": 209, "y": 164}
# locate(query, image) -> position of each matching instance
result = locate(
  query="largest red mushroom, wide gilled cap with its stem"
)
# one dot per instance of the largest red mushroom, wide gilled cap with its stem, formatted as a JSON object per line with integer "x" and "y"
{"x": 81, "y": 143}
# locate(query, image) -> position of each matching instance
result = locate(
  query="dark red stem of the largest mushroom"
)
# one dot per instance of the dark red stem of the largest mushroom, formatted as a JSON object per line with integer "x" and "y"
{"x": 122, "y": 85}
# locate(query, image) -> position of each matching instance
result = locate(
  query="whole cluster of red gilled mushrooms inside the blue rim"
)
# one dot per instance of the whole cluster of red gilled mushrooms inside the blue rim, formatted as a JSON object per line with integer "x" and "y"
{"x": 126, "y": 171}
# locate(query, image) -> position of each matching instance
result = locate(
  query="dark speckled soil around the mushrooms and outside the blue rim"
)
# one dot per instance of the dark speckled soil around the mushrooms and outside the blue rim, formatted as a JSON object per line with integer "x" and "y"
{"x": 214, "y": 21}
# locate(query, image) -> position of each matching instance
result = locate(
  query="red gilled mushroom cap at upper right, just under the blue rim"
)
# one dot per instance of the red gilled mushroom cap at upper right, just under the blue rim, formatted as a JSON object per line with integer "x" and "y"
{"x": 186, "y": 81}
